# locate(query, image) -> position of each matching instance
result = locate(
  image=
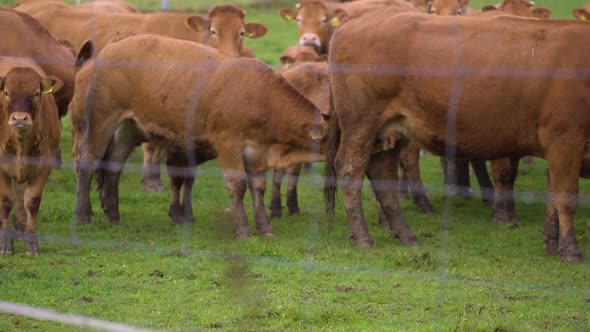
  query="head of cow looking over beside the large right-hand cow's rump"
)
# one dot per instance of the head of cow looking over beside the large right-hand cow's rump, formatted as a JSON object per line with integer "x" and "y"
{"x": 314, "y": 23}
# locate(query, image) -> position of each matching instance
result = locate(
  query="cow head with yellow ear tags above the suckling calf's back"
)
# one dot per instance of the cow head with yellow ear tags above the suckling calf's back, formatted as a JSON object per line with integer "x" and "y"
{"x": 225, "y": 28}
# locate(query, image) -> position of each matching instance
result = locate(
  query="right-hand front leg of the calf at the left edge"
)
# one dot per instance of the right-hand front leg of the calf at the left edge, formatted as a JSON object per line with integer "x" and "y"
{"x": 32, "y": 203}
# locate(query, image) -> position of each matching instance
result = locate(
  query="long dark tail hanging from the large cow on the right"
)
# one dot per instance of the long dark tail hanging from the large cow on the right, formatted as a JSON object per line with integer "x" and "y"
{"x": 330, "y": 176}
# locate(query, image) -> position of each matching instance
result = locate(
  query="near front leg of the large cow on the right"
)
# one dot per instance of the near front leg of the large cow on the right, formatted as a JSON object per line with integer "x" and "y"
{"x": 564, "y": 188}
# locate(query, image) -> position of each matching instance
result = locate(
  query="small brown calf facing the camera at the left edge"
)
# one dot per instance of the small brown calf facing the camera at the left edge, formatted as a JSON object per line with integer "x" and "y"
{"x": 29, "y": 139}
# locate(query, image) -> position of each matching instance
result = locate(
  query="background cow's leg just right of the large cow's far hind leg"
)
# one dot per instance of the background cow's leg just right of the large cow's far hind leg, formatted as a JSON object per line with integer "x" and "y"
{"x": 410, "y": 163}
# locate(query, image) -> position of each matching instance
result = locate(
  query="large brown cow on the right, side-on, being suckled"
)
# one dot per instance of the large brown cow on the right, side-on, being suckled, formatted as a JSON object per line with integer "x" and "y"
{"x": 412, "y": 88}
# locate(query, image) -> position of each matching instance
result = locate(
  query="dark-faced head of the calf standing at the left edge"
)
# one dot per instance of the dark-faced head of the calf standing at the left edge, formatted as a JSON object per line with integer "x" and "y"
{"x": 22, "y": 93}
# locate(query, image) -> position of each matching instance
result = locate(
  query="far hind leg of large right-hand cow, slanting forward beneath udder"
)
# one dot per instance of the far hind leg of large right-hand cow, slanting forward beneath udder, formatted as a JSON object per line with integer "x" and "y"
{"x": 380, "y": 172}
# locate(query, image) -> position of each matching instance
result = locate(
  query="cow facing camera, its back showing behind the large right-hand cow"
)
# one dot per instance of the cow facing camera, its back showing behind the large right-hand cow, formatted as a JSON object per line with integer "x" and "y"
{"x": 316, "y": 21}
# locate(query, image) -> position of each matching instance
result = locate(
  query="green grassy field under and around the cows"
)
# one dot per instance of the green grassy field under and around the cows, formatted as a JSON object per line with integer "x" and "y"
{"x": 469, "y": 274}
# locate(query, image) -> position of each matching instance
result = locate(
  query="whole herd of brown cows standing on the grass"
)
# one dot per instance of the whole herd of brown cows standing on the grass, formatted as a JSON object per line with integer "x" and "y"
{"x": 368, "y": 85}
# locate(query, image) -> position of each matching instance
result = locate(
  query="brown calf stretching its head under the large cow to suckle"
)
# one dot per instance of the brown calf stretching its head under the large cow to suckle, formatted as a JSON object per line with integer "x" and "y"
{"x": 197, "y": 101}
